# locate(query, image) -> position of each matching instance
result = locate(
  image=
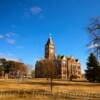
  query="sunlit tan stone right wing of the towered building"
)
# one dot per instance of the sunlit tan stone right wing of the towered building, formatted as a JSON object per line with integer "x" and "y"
{"x": 70, "y": 68}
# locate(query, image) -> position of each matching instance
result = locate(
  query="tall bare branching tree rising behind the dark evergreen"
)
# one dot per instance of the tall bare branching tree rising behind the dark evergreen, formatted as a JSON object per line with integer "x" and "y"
{"x": 94, "y": 34}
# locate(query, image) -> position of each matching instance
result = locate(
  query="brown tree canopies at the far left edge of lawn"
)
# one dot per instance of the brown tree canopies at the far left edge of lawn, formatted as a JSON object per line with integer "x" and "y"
{"x": 14, "y": 69}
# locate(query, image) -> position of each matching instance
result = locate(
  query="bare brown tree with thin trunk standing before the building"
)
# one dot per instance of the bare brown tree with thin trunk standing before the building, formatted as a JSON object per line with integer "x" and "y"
{"x": 47, "y": 68}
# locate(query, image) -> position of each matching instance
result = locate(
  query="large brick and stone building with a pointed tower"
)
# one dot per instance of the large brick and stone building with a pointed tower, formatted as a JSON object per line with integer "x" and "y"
{"x": 65, "y": 67}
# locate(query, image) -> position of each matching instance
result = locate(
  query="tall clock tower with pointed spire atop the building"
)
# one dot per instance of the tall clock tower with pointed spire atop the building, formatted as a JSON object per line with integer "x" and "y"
{"x": 49, "y": 49}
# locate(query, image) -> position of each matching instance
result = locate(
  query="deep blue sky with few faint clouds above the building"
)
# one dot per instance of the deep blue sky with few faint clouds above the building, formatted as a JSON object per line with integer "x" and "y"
{"x": 25, "y": 26}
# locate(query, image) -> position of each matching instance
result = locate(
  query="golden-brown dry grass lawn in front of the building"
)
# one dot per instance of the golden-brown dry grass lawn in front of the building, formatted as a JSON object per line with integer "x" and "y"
{"x": 21, "y": 89}
